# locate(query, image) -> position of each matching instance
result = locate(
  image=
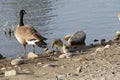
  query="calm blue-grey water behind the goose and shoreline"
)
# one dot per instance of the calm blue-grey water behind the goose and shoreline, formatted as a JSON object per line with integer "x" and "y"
{"x": 57, "y": 18}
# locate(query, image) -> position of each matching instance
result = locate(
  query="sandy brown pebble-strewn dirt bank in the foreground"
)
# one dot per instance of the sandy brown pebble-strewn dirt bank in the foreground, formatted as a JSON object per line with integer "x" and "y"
{"x": 90, "y": 65}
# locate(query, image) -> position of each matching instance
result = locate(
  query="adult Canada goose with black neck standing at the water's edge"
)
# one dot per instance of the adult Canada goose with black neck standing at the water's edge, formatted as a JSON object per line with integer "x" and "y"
{"x": 26, "y": 34}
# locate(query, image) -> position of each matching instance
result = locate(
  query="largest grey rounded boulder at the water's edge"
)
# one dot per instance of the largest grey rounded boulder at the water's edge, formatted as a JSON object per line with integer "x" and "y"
{"x": 78, "y": 38}
